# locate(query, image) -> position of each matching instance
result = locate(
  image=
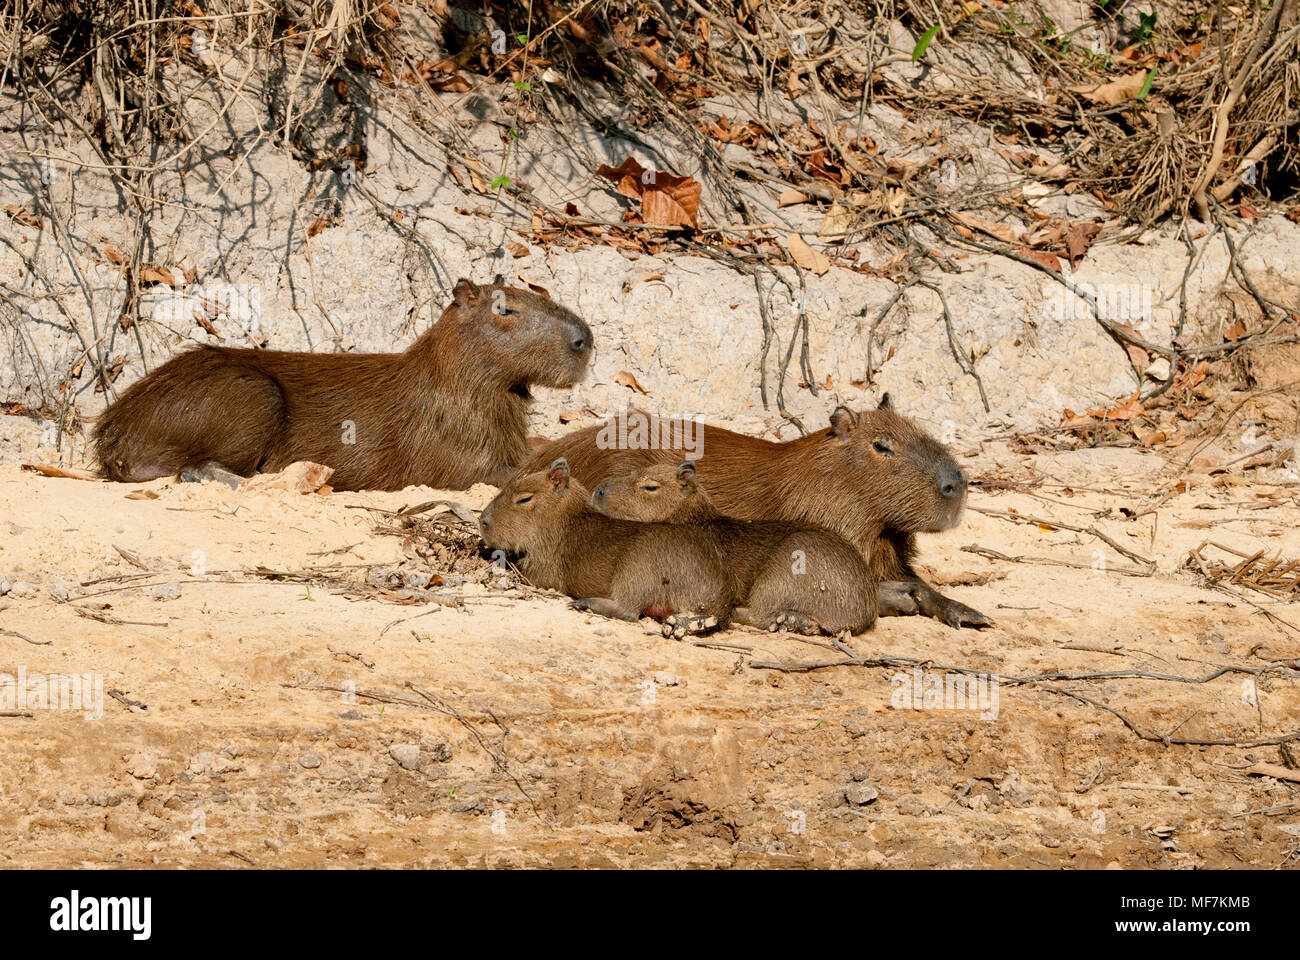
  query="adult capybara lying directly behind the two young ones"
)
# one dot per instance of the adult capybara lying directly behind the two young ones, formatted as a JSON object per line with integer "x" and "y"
{"x": 874, "y": 478}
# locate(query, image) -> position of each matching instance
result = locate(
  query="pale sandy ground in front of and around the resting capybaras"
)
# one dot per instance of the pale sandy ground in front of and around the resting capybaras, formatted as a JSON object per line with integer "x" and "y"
{"x": 266, "y": 720}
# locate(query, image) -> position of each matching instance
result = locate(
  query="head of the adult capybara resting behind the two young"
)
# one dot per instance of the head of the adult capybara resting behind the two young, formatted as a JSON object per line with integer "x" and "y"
{"x": 909, "y": 479}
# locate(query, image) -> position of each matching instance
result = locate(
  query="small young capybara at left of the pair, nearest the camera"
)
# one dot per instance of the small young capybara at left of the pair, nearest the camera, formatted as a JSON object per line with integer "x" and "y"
{"x": 673, "y": 573}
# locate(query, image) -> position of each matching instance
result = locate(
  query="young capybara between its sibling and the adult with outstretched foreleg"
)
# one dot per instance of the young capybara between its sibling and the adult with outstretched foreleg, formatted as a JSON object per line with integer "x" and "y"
{"x": 787, "y": 577}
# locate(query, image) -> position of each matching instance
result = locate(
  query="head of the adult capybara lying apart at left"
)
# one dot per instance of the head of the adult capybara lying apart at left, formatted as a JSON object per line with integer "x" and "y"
{"x": 531, "y": 339}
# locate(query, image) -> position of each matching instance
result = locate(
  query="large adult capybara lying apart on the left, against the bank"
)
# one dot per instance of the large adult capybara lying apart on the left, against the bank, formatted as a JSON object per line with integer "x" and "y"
{"x": 449, "y": 412}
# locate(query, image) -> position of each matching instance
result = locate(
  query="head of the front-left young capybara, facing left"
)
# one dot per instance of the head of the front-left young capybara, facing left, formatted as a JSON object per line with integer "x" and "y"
{"x": 528, "y": 514}
